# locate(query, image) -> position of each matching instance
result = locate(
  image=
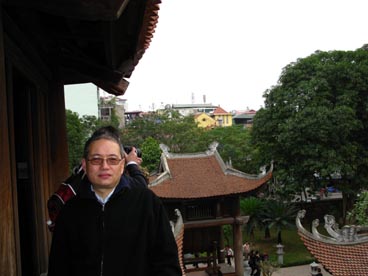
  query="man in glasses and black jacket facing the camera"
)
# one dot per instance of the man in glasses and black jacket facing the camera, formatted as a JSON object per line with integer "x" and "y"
{"x": 114, "y": 225}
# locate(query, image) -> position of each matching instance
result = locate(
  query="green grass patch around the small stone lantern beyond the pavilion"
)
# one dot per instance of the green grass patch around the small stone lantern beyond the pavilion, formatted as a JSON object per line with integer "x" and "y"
{"x": 295, "y": 253}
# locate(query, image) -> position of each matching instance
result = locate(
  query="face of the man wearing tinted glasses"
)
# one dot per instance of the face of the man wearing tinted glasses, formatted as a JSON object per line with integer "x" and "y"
{"x": 104, "y": 175}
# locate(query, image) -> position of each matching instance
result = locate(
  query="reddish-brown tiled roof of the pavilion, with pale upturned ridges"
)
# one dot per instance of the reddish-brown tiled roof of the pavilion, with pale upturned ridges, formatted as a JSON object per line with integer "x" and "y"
{"x": 201, "y": 176}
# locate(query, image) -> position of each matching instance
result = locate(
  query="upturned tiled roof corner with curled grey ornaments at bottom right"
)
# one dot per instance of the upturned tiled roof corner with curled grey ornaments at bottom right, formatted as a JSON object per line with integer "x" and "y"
{"x": 344, "y": 252}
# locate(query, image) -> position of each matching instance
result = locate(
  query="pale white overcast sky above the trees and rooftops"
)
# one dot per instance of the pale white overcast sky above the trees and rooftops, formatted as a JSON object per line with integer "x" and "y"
{"x": 232, "y": 51}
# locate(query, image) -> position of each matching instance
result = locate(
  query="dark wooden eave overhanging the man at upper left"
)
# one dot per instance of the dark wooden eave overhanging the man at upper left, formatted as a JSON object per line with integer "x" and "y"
{"x": 98, "y": 41}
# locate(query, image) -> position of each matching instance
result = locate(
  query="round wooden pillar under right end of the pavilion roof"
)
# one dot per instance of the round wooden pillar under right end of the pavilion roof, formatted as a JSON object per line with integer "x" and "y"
{"x": 238, "y": 239}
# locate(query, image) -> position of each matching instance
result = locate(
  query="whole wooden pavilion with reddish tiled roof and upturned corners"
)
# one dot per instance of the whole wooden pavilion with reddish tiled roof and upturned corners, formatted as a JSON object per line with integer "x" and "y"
{"x": 207, "y": 192}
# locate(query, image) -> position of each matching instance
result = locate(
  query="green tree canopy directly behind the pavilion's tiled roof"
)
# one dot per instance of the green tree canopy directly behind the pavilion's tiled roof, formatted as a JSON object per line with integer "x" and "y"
{"x": 182, "y": 135}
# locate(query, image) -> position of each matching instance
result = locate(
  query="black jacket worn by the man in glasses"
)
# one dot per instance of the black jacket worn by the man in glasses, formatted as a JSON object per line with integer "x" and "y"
{"x": 130, "y": 235}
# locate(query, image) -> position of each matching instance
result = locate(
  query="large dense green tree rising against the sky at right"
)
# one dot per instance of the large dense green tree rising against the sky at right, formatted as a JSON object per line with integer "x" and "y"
{"x": 315, "y": 121}
